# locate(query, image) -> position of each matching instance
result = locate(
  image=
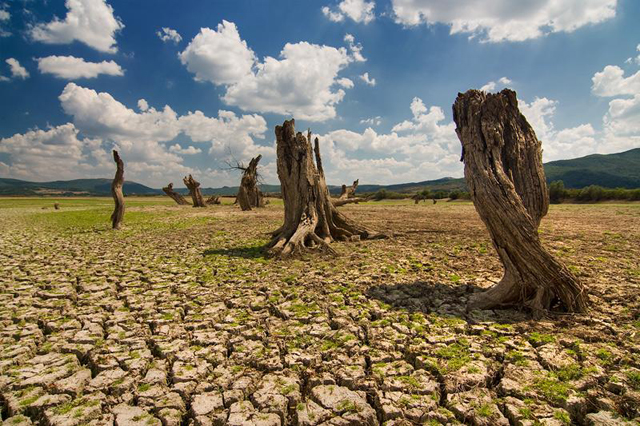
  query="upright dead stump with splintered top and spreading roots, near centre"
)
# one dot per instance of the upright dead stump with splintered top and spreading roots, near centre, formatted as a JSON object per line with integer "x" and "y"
{"x": 310, "y": 219}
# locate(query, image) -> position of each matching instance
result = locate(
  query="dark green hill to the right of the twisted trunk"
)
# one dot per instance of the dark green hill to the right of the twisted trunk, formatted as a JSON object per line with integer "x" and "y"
{"x": 620, "y": 170}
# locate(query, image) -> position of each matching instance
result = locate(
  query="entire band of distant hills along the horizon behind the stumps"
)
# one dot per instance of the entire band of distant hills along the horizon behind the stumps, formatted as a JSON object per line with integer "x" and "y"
{"x": 620, "y": 170}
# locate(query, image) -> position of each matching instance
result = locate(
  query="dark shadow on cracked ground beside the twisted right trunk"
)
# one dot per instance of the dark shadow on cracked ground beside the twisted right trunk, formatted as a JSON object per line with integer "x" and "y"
{"x": 440, "y": 299}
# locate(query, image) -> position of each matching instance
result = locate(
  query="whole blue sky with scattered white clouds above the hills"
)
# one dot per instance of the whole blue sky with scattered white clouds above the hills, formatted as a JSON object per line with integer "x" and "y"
{"x": 182, "y": 87}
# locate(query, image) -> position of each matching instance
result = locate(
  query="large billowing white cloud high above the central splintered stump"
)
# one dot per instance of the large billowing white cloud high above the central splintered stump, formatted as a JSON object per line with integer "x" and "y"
{"x": 301, "y": 82}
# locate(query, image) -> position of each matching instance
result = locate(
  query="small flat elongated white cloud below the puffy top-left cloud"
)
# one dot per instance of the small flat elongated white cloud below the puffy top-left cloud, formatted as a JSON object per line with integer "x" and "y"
{"x": 72, "y": 68}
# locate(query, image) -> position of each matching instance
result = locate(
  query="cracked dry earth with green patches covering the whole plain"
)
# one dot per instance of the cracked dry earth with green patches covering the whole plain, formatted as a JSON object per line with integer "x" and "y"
{"x": 178, "y": 319}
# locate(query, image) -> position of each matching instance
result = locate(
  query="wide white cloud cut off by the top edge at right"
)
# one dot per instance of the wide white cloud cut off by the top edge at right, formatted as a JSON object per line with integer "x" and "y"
{"x": 505, "y": 20}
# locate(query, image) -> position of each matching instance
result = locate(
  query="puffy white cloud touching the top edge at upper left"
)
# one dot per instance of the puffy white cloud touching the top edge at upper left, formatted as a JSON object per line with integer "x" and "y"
{"x": 88, "y": 21}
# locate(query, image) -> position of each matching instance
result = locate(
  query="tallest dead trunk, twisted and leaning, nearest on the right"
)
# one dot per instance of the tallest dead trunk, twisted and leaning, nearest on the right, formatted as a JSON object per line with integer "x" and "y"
{"x": 503, "y": 168}
